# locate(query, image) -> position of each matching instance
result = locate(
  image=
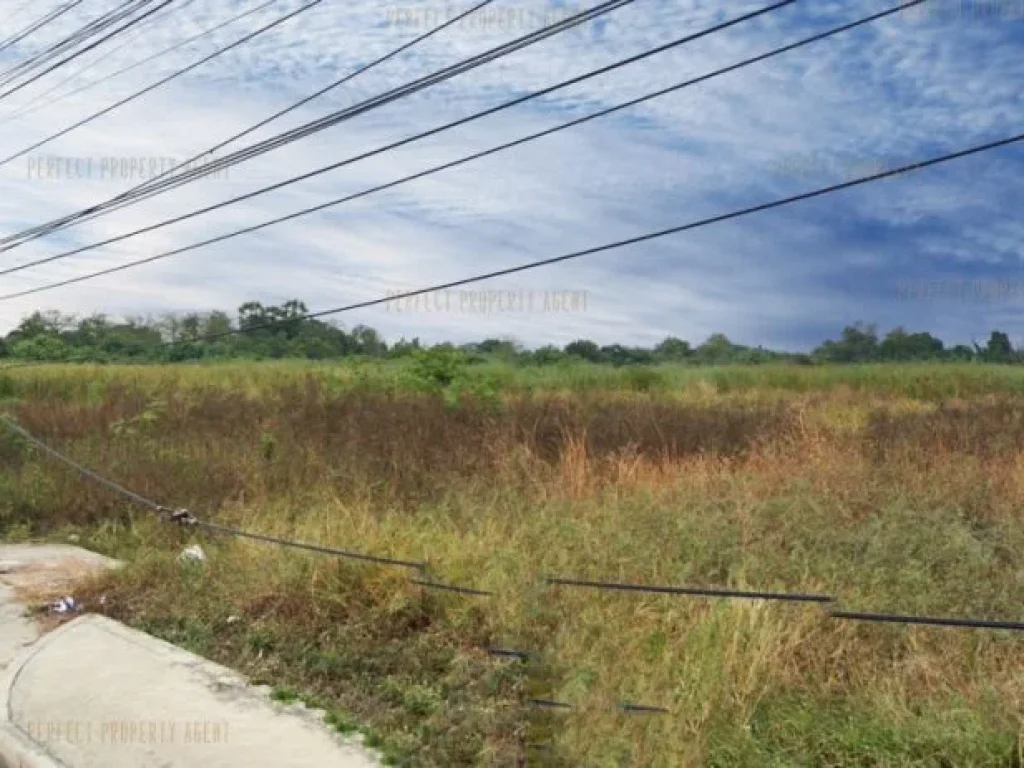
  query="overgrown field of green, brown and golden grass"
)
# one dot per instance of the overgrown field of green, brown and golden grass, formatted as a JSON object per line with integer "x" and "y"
{"x": 898, "y": 490}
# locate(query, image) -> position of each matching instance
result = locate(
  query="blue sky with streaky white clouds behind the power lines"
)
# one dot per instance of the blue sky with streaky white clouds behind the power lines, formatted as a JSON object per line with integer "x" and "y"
{"x": 937, "y": 249}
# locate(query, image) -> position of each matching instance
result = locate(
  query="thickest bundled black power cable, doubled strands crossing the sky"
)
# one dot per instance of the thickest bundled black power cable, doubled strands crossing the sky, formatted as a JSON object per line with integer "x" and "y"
{"x": 148, "y": 190}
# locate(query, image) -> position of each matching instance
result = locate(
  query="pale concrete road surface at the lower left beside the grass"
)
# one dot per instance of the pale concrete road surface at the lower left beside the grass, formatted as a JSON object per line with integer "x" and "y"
{"x": 95, "y": 694}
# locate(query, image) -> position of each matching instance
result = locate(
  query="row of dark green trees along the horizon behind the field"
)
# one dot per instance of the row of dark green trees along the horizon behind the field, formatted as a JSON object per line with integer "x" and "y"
{"x": 283, "y": 332}
